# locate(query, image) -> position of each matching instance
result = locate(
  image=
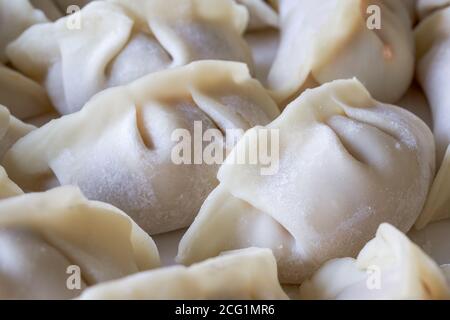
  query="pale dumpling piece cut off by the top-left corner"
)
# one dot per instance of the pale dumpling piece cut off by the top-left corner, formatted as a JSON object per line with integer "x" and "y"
{"x": 15, "y": 17}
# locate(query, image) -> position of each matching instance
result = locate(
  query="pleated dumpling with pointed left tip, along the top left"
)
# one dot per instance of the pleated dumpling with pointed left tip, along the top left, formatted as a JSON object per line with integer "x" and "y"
{"x": 120, "y": 41}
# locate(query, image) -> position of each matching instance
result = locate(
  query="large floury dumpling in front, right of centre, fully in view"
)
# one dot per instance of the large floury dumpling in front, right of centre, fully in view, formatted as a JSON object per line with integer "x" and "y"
{"x": 346, "y": 164}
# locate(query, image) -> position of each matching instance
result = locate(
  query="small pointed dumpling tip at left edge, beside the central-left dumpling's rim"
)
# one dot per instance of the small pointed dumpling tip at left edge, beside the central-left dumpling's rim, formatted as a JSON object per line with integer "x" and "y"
{"x": 11, "y": 130}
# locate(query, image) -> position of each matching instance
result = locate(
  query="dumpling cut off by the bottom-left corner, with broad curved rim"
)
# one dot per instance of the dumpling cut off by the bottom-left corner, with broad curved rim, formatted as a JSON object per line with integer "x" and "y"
{"x": 42, "y": 234}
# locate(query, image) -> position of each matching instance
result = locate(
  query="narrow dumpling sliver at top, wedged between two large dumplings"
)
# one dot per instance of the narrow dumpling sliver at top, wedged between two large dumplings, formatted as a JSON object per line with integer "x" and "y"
{"x": 262, "y": 35}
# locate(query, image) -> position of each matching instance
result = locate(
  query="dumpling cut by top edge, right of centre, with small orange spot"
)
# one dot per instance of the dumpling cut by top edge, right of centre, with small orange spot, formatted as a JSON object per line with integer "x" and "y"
{"x": 328, "y": 40}
